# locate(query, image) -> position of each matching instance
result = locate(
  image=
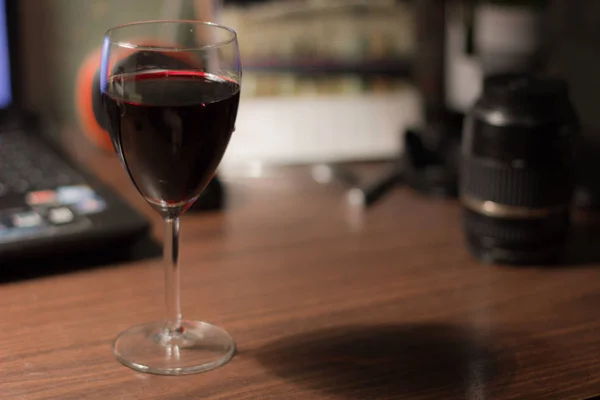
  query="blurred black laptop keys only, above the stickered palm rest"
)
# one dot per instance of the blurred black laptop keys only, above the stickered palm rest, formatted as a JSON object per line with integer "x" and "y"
{"x": 27, "y": 165}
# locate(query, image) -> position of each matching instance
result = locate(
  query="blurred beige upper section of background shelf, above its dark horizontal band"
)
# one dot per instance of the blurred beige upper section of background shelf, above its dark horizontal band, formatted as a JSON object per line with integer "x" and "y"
{"x": 329, "y": 37}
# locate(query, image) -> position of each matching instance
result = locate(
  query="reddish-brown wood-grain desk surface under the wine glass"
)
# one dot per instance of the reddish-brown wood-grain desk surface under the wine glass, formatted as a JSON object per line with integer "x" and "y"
{"x": 322, "y": 306}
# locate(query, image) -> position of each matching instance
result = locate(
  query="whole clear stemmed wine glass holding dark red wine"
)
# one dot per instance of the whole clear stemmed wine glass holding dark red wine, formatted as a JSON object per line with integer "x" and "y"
{"x": 171, "y": 91}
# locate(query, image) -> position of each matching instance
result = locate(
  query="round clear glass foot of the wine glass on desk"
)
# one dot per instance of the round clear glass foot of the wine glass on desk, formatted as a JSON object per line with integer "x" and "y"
{"x": 197, "y": 347}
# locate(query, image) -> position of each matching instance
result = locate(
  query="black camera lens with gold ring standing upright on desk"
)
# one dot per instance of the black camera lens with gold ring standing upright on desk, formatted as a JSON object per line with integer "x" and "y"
{"x": 517, "y": 170}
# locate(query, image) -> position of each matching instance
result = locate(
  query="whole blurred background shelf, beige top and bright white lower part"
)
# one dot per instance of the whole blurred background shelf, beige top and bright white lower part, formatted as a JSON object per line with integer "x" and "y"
{"x": 324, "y": 80}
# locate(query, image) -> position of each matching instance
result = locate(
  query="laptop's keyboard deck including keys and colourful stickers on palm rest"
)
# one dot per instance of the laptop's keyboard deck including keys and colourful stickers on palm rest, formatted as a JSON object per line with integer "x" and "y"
{"x": 41, "y": 195}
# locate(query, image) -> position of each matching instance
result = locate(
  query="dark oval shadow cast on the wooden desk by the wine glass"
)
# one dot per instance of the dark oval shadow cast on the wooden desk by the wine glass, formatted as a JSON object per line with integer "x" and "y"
{"x": 392, "y": 361}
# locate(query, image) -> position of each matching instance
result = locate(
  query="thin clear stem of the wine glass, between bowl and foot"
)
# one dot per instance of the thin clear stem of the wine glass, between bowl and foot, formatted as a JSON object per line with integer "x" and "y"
{"x": 171, "y": 258}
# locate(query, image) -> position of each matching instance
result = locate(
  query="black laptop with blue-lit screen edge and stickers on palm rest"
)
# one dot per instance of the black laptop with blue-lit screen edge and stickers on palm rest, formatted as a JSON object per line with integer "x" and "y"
{"x": 49, "y": 206}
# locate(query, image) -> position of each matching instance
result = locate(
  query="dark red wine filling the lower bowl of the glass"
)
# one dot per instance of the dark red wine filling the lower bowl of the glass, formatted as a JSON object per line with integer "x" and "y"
{"x": 171, "y": 129}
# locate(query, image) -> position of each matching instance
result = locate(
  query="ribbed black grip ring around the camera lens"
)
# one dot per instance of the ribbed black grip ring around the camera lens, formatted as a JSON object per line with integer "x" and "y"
{"x": 523, "y": 187}
